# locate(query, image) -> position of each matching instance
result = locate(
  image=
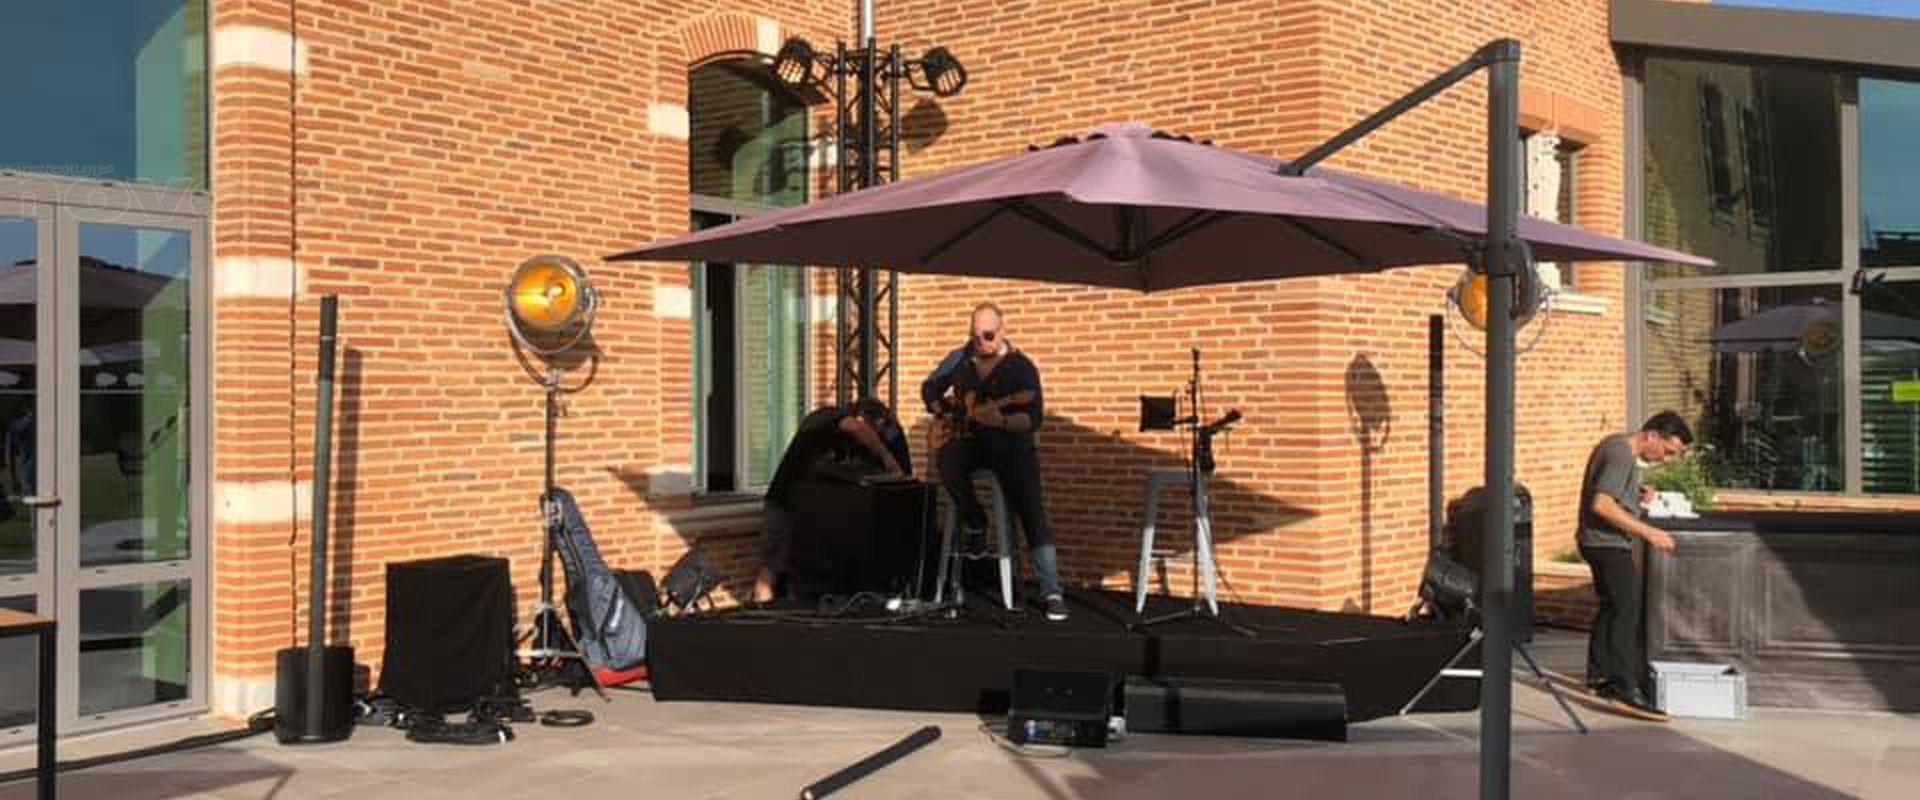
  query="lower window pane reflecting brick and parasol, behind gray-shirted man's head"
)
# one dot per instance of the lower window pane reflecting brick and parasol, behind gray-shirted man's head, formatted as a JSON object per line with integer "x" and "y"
{"x": 1758, "y": 373}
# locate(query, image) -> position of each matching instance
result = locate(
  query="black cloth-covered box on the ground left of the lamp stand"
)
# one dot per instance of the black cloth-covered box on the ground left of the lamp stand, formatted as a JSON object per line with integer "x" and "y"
{"x": 448, "y": 632}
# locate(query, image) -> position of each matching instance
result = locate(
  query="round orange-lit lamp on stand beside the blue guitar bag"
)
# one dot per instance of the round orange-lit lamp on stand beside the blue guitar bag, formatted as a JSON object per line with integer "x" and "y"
{"x": 550, "y": 310}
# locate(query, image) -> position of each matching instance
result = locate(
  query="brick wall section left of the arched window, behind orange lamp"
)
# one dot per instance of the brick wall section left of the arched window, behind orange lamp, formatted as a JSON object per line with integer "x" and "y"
{"x": 441, "y": 145}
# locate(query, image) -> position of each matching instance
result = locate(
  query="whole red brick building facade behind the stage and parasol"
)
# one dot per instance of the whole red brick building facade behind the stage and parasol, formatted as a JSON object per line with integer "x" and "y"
{"x": 408, "y": 154}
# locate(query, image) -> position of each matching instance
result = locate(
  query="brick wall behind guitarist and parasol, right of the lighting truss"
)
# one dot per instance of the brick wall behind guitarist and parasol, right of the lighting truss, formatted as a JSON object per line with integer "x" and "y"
{"x": 1324, "y": 498}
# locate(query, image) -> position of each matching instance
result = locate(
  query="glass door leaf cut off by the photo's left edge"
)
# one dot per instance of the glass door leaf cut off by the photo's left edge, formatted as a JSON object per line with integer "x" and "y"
{"x": 28, "y": 413}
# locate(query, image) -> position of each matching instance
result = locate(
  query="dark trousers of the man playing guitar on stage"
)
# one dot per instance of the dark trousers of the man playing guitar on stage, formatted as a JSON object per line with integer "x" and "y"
{"x": 1019, "y": 471}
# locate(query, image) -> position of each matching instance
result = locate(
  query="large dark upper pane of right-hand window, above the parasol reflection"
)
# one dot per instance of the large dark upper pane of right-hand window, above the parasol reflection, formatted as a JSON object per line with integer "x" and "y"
{"x": 1742, "y": 166}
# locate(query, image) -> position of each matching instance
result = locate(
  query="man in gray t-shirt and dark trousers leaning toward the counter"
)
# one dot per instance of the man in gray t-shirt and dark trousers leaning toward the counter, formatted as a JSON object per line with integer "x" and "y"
{"x": 1610, "y": 523}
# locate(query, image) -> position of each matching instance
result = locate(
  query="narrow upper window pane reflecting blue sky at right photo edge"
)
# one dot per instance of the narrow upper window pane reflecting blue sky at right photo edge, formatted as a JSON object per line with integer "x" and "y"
{"x": 1890, "y": 174}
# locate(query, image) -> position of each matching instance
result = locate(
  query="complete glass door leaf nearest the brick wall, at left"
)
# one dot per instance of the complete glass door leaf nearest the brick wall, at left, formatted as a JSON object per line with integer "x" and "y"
{"x": 130, "y": 567}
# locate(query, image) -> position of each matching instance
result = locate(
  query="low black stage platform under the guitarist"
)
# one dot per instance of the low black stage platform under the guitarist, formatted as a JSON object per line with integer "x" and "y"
{"x": 967, "y": 665}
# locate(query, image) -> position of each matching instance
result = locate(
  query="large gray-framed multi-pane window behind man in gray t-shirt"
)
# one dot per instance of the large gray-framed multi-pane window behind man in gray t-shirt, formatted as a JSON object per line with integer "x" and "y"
{"x": 1796, "y": 358}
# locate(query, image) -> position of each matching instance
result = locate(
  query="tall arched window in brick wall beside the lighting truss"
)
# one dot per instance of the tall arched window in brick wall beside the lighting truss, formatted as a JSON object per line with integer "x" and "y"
{"x": 748, "y": 154}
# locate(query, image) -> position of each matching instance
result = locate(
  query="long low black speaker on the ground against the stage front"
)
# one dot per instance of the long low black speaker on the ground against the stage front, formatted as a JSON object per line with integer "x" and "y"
{"x": 1236, "y": 709}
